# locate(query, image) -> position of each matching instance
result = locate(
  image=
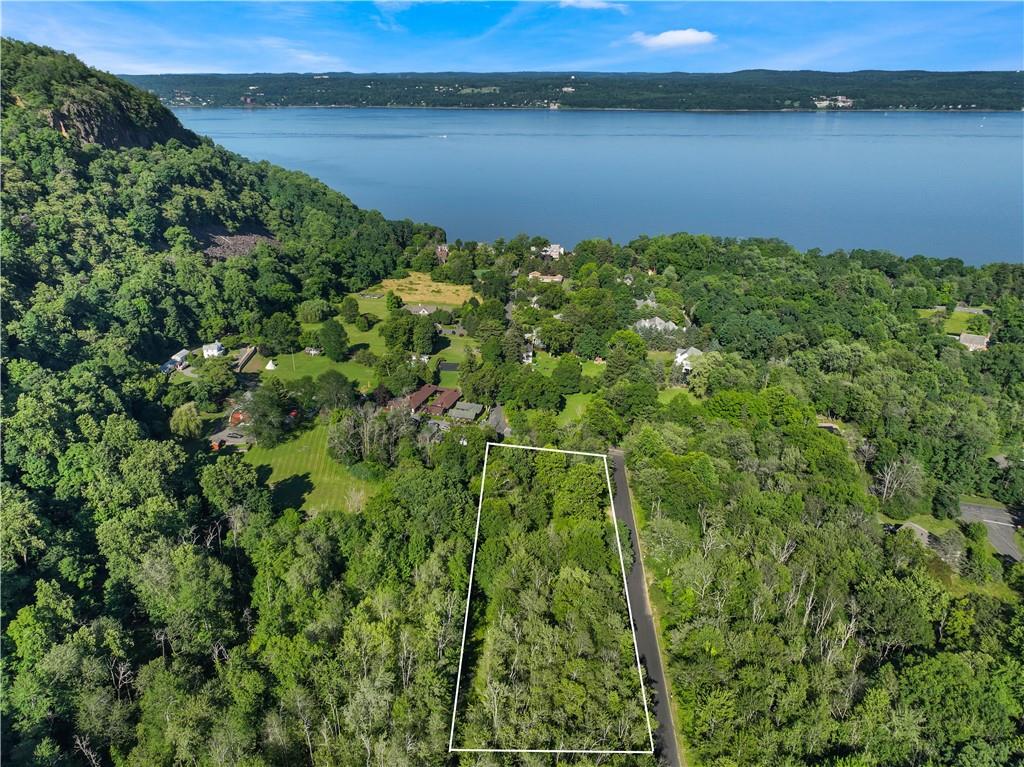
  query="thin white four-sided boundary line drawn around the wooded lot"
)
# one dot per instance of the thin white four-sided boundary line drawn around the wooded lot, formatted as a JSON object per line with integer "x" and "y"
{"x": 470, "y": 594}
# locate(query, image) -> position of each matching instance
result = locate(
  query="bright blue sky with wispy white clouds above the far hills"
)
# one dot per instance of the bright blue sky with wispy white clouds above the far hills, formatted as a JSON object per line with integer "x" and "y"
{"x": 572, "y": 35}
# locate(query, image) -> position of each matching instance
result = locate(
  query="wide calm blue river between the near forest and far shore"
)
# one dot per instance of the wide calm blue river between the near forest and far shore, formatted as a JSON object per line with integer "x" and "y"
{"x": 941, "y": 185}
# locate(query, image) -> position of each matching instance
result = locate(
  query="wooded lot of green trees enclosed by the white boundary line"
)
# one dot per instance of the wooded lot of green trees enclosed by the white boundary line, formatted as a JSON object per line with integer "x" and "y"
{"x": 549, "y": 661}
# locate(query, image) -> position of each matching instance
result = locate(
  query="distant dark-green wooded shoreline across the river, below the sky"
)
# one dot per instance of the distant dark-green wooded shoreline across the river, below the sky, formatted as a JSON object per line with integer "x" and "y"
{"x": 754, "y": 90}
